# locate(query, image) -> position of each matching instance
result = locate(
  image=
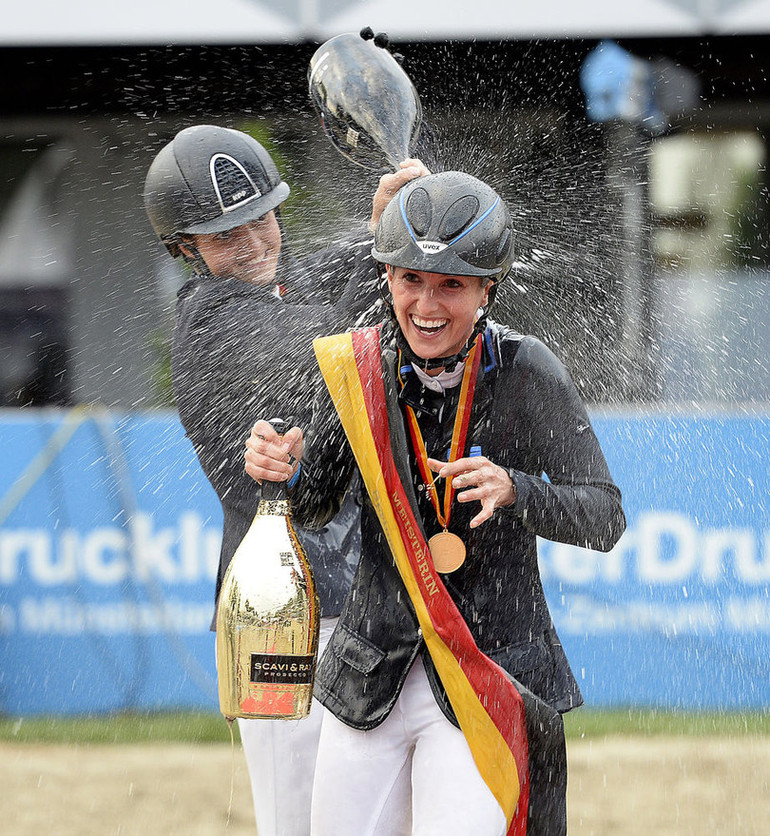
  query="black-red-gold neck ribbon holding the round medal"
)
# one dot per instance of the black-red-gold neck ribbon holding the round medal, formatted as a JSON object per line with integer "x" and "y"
{"x": 459, "y": 434}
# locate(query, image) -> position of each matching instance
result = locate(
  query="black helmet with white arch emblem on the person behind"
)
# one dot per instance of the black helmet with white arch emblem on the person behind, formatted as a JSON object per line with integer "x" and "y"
{"x": 210, "y": 179}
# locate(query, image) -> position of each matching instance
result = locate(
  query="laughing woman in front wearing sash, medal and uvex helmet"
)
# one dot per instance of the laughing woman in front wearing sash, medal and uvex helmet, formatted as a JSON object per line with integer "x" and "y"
{"x": 440, "y": 393}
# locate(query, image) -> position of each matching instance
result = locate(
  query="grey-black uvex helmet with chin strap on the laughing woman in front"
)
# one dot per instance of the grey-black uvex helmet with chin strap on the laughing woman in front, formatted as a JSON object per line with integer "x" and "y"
{"x": 450, "y": 223}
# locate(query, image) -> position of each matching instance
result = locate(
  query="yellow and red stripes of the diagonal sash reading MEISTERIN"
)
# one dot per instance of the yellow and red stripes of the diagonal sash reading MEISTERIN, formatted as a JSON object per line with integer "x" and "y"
{"x": 487, "y": 704}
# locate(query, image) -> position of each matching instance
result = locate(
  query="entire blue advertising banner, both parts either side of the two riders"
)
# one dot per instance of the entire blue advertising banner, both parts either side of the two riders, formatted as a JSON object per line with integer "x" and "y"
{"x": 109, "y": 540}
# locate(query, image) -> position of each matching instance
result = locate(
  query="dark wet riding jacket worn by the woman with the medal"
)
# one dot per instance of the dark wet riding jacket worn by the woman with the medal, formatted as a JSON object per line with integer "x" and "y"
{"x": 528, "y": 418}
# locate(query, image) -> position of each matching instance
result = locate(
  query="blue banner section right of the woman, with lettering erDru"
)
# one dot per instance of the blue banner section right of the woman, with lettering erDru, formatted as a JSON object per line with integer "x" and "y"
{"x": 677, "y": 615}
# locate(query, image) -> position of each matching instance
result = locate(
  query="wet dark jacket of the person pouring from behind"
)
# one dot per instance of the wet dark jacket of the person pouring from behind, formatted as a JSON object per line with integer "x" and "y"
{"x": 240, "y": 353}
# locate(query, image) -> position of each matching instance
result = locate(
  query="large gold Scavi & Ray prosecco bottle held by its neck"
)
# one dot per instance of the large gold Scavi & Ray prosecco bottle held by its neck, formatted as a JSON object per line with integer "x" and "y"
{"x": 268, "y": 619}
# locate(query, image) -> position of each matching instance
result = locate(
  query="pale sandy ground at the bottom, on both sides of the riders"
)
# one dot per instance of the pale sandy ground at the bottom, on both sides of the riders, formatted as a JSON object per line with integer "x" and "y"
{"x": 630, "y": 786}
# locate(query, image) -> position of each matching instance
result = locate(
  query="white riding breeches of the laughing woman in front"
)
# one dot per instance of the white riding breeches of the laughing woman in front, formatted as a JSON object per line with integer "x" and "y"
{"x": 415, "y": 764}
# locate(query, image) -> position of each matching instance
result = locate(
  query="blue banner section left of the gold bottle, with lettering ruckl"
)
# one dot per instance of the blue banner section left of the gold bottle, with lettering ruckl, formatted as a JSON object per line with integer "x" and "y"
{"x": 108, "y": 558}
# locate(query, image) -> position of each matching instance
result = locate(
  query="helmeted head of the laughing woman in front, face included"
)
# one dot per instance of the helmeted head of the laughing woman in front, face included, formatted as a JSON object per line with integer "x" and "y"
{"x": 446, "y": 241}
